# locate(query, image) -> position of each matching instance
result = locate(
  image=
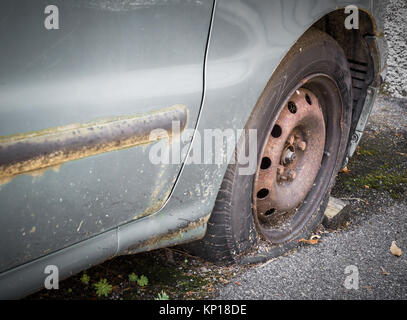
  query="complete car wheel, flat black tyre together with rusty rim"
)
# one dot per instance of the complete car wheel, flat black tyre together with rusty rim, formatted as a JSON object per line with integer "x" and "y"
{"x": 302, "y": 120}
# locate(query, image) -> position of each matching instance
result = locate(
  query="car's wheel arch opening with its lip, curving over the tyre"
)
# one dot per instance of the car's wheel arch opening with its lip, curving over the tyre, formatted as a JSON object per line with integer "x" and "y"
{"x": 365, "y": 49}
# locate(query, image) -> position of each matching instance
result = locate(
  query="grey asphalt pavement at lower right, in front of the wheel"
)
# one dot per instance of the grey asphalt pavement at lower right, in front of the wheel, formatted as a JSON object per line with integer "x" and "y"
{"x": 319, "y": 272}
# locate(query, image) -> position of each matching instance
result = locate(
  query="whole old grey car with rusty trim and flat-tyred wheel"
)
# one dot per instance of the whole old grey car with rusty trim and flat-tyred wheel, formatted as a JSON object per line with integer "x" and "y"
{"x": 132, "y": 125}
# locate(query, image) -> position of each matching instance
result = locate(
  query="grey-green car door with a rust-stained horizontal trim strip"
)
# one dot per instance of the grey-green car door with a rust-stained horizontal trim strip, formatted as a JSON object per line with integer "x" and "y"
{"x": 81, "y": 85}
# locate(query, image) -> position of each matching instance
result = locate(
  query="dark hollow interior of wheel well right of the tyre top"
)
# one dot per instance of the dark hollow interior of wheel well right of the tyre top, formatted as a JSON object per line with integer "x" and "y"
{"x": 361, "y": 51}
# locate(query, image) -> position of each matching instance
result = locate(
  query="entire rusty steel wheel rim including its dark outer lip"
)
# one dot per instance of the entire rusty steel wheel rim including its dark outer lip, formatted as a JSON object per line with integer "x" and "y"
{"x": 282, "y": 220}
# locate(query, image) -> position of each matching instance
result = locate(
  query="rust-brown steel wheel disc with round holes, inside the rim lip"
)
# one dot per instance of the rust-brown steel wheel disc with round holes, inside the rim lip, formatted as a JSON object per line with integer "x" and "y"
{"x": 290, "y": 162}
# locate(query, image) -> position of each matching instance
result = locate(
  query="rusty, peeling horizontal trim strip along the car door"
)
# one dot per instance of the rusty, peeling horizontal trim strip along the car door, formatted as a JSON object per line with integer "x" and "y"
{"x": 34, "y": 153}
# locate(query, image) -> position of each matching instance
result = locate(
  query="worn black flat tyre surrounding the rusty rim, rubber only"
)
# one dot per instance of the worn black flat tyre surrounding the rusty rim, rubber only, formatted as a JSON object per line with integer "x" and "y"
{"x": 231, "y": 229}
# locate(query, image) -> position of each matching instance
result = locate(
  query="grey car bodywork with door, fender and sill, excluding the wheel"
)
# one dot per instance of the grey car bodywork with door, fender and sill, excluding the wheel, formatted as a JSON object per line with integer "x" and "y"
{"x": 77, "y": 105}
